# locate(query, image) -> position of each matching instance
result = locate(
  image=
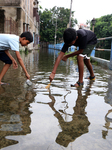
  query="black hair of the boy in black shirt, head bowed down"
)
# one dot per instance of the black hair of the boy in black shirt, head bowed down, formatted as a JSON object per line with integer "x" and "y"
{"x": 69, "y": 35}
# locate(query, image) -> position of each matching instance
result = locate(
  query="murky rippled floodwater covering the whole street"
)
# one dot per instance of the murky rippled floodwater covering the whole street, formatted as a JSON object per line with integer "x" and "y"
{"x": 63, "y": 118}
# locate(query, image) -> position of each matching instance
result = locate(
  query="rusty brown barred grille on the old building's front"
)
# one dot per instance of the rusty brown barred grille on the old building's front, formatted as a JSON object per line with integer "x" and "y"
{"x": 10, "y": 26}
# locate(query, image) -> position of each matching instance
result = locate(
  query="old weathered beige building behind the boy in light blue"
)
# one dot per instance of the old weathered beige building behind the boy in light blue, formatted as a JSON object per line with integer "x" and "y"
{"x": 17, "y": 16}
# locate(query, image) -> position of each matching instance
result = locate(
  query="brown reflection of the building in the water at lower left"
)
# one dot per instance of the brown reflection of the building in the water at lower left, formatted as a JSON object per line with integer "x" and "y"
{"x": 14, "y": 115}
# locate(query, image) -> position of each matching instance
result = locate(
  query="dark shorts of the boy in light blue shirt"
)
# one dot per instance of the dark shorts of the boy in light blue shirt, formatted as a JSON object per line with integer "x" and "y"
{"x": 5, "y": 58}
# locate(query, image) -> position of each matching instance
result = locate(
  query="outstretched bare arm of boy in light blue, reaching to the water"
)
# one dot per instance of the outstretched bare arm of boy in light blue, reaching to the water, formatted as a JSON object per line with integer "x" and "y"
{"x": 22, "y": 64}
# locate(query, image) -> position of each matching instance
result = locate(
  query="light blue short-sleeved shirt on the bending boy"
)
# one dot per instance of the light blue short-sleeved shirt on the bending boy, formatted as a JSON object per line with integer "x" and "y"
{"x": 9, "y": 41}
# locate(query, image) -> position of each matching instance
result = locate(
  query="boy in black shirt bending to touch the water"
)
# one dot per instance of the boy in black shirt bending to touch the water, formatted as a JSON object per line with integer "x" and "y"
{"x": 86, "y": 41}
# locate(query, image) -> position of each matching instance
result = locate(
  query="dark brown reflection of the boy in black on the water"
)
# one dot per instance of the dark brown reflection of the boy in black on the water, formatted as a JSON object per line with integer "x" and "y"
{"x": 79, "y": 124}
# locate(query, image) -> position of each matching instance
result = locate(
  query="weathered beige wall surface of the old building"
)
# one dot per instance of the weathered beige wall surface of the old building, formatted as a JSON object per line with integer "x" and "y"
{"x": 20, "y": 11}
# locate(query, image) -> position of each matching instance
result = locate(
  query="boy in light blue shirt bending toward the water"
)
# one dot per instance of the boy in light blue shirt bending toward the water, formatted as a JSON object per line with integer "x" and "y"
{"x": 11, "y": 41}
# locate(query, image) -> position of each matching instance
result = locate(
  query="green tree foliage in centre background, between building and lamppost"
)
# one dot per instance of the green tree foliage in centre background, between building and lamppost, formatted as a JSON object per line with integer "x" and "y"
{"x": 55, "y": 19}
